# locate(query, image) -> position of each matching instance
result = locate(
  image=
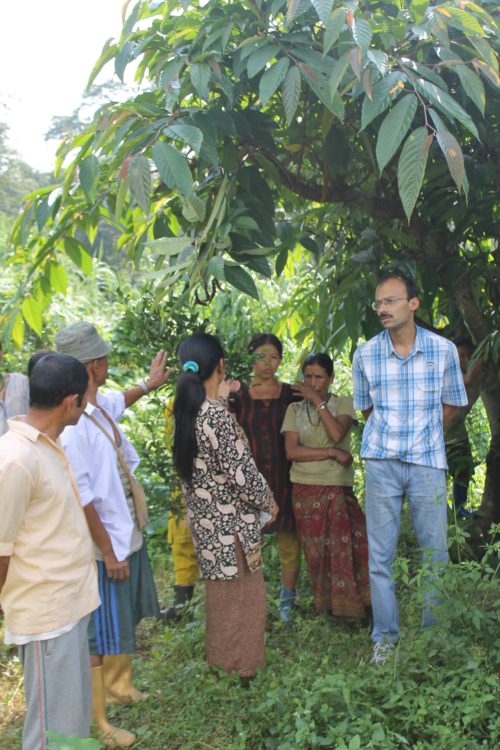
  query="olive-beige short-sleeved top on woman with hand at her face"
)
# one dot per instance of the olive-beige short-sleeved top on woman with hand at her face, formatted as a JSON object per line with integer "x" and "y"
{"x": 307, "y": 423}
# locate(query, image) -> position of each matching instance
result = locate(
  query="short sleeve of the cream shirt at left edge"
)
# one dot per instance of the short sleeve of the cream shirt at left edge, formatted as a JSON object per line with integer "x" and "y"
{"x": 16, "y": 487}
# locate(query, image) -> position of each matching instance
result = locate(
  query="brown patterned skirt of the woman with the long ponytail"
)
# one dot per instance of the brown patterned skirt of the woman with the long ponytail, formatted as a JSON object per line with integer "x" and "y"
{"x": 235, "y": 616}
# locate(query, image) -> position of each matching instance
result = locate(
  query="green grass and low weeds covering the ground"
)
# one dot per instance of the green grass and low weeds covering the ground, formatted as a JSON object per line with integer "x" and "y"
{"x": 441, "y": 691}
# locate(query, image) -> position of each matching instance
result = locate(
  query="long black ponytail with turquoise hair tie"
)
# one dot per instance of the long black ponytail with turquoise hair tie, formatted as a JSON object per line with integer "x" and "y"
{"x": 199, "y": 355}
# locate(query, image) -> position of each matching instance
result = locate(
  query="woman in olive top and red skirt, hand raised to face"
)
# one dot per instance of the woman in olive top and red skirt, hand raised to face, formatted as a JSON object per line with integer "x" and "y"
{"x": 329, "y": 520}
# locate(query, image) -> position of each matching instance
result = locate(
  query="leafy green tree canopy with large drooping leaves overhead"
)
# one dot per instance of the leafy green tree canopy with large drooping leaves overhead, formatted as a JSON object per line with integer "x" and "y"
{"x": 260, "y": 118}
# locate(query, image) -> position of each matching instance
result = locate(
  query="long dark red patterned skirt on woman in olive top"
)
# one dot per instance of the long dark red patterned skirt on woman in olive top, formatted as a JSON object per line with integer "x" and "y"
{"x": 332, "y": 529}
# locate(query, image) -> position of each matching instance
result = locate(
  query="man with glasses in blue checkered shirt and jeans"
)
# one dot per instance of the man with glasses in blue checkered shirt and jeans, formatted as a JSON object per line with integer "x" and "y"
{"x": 408, "y": 384}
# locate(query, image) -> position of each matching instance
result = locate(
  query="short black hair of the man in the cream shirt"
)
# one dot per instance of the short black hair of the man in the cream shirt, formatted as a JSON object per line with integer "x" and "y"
{"x": 54, "y": 377}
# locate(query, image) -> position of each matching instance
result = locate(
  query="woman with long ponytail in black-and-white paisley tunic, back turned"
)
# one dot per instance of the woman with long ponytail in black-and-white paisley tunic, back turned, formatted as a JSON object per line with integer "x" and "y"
{"x": 225, "y": 495}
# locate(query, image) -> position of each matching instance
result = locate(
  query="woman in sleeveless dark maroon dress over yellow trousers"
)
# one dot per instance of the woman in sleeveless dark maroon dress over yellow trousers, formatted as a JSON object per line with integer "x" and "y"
{"x": 260, "y": 410}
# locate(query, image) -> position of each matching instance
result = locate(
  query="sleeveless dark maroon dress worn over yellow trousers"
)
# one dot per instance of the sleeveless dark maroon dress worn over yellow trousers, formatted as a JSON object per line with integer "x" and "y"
{"x": 262, "y": 419}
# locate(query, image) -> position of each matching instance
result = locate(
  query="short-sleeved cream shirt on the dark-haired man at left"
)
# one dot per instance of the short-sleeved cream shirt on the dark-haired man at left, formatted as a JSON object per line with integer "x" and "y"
{"x": 51, "y": 579}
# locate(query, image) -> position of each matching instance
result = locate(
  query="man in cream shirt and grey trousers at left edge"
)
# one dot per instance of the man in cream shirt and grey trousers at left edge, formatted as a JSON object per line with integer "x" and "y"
{"x": 48, "y": 582}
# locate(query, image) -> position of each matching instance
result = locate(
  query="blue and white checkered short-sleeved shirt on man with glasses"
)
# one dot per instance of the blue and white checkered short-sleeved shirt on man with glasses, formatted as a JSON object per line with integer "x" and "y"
{"x": 407, "y": 396}
